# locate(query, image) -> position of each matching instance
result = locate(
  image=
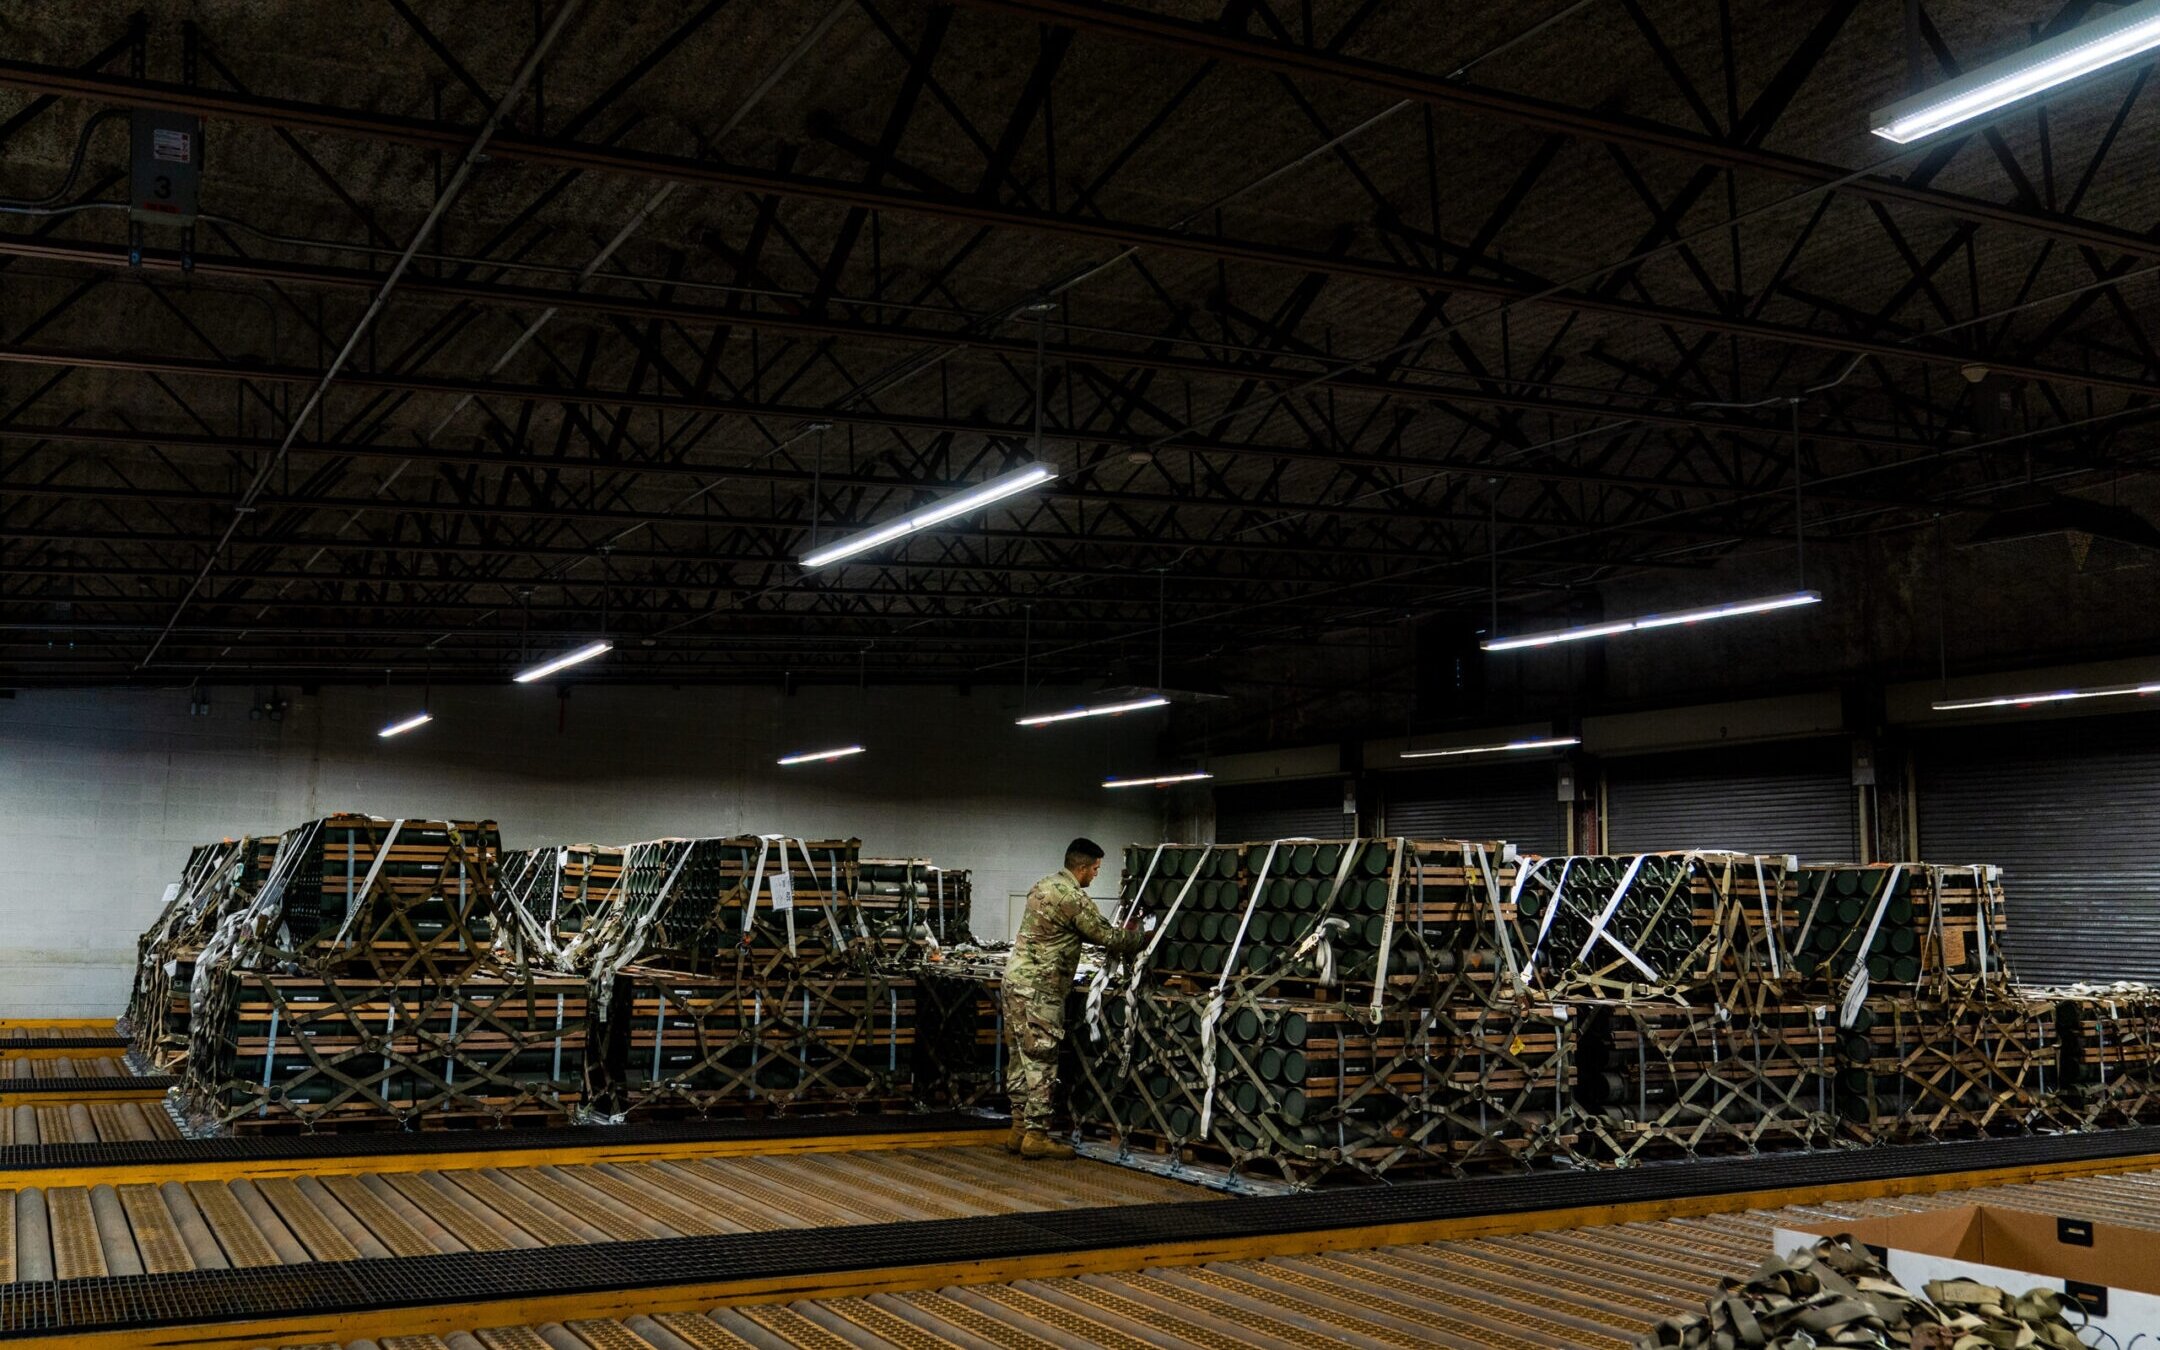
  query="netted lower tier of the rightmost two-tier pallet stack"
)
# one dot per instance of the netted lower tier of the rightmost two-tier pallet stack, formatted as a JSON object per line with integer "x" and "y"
{"x": 1965, "y": 1062}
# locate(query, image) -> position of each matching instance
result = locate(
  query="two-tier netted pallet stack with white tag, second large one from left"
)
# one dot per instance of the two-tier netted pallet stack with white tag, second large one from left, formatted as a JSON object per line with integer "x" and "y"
{"x": 740, "y": 977}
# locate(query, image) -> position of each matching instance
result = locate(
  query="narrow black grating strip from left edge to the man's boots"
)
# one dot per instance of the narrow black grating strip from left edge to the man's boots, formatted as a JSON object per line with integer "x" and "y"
{"x": 278, "y": 1148}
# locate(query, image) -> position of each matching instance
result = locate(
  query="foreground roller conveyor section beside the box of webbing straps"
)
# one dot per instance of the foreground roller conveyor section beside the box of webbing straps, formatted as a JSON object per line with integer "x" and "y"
{"x": 1593, "y": 1288}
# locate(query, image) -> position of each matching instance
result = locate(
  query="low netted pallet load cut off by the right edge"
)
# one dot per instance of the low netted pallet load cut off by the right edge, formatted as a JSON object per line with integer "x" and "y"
{"x": 2107, "y": 1042}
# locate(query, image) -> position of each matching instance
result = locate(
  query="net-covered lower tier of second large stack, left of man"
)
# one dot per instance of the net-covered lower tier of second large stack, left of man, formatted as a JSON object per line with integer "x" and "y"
{"x": 779, "y": 1040}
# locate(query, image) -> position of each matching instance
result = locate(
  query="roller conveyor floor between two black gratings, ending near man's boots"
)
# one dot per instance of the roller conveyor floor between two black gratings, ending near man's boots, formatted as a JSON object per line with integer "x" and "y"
{"x": 79, "y": 1232}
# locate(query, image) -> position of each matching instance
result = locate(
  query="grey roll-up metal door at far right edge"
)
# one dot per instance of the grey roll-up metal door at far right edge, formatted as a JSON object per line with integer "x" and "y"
{"x": 2073, "y": 813}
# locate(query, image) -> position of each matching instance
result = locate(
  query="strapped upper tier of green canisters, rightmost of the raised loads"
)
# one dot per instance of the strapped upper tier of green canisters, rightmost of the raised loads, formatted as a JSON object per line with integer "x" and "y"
{"x": 1900, "y": 926}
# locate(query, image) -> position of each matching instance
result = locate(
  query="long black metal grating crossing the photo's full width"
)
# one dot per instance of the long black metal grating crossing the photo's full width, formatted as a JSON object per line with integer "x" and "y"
{"x": 208, "y": 1297}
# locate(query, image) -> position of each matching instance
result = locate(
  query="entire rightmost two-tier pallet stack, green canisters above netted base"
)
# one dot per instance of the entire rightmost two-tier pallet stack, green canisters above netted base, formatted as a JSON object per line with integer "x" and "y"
{"x": 1934, "y": 1040}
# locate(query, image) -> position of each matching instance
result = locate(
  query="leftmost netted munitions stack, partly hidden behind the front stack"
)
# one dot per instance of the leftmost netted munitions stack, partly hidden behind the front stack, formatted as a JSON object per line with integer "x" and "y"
{"x": 217, "y": 882}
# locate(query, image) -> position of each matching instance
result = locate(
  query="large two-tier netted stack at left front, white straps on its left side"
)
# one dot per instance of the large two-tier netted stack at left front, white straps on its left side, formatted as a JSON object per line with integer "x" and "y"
{"x": 362, "y": 986}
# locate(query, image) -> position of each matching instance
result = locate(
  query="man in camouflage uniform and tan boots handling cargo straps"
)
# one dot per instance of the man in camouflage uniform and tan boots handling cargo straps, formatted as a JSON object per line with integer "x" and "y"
{"x": 1038, "y": 977}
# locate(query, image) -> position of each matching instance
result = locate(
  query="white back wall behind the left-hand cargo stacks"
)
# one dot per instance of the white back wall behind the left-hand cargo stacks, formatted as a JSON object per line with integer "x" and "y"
{"x": 105, "y": 792}
